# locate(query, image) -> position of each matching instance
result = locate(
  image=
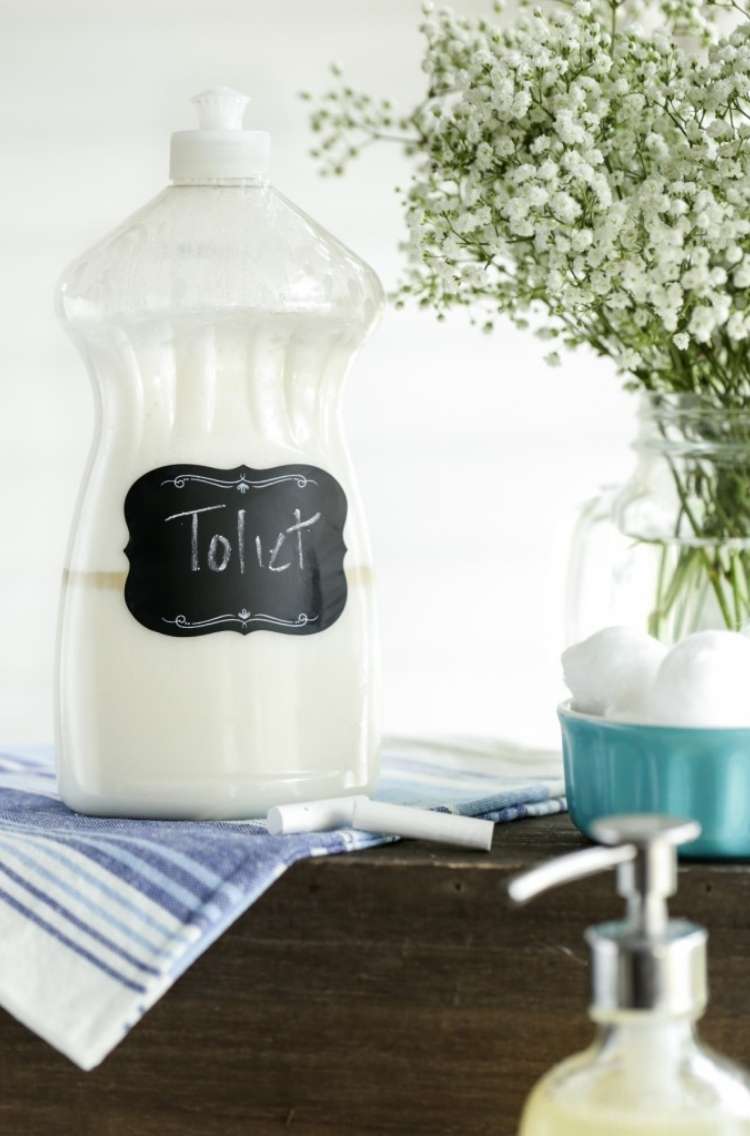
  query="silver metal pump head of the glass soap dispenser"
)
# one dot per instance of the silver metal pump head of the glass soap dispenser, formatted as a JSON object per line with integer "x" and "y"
{"x": 647, "y": 962}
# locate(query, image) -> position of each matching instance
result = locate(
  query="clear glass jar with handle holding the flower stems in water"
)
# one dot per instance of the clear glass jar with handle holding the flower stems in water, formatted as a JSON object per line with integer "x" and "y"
{"x": 670, "y": 550}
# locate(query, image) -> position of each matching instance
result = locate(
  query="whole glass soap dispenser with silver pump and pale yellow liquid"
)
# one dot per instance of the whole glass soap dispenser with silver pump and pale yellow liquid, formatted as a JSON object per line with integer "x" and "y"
{"x": 646, "y": 1073}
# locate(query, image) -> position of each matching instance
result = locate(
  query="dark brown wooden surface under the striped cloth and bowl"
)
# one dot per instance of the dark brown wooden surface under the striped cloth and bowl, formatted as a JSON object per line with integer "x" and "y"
{"x": 387, "y": 992}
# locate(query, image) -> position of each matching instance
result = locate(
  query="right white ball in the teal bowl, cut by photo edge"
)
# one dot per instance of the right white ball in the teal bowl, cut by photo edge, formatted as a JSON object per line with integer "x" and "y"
{"x": 705, "y": 681}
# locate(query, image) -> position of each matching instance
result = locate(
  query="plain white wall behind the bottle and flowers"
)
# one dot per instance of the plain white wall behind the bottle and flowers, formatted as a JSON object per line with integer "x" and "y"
{"x": 473, "y": 455}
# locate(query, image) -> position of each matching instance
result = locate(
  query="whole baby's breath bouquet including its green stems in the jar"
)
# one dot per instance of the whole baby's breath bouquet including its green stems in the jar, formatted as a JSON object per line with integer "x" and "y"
{"x": 590, "y": 179}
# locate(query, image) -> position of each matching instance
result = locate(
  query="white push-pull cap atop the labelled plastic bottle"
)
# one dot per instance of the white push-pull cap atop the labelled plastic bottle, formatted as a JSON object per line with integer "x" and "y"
{"x": 220, "y": 149}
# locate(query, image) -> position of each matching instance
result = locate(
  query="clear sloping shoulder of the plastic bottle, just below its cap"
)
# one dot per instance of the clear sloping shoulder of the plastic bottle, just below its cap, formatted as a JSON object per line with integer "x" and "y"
{"x": 224, "y": 248}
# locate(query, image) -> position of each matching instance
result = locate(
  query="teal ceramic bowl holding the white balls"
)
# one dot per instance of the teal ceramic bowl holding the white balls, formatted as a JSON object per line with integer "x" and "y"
{"x": 701, "y": 774}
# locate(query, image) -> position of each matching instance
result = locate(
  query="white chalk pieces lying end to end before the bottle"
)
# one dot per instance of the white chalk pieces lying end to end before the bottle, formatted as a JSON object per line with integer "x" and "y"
{"x": 379, "y": 817}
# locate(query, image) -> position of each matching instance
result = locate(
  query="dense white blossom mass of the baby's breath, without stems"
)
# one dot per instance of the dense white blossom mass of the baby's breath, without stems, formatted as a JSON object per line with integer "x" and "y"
{"x": 601, "y": 179}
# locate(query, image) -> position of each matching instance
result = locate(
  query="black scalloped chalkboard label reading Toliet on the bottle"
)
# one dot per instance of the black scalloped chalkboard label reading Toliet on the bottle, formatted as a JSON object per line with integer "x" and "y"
{"x": 241, "y": 550}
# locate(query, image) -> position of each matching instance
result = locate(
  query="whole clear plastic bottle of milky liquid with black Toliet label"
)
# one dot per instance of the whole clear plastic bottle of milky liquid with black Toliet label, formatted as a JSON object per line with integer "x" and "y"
{"x": 227, "y": 662}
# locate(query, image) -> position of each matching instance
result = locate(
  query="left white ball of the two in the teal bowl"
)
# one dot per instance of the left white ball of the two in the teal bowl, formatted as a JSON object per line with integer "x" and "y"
{"x": 613, "y": 671}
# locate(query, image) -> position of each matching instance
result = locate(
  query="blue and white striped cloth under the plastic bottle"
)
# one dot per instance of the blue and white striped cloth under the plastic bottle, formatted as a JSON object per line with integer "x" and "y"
{"x": 99, "y": 917}
